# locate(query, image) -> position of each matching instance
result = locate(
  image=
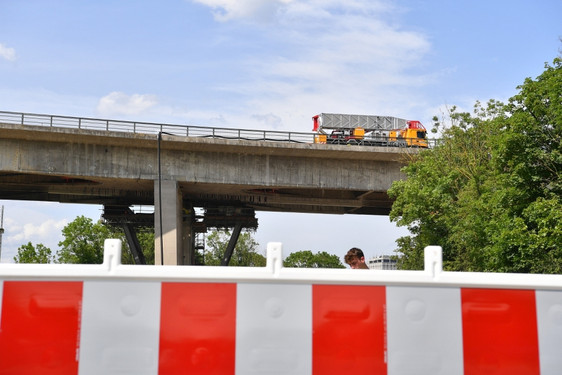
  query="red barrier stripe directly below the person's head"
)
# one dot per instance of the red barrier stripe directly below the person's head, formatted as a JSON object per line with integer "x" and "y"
{"x": 349, "y": 334}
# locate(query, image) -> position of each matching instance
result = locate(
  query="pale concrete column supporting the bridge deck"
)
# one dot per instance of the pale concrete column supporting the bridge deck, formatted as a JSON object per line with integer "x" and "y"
{"x": 171, "y": 223}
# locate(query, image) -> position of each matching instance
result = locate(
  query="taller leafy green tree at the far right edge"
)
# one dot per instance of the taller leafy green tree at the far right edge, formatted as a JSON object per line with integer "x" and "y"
{"x": 529, "y": 158}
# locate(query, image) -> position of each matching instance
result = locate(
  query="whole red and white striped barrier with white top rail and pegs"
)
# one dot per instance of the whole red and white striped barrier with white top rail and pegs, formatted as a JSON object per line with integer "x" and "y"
{"x": 117, "y": 319}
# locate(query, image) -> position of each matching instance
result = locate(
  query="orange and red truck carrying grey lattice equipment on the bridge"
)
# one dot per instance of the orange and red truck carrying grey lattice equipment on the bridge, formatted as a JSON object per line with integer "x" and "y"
{"x": 368, "y": 130}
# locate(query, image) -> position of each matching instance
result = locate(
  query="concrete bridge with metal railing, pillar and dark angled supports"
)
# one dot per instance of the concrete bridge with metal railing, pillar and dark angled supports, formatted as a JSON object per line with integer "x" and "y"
{"x": 179, "y": 169}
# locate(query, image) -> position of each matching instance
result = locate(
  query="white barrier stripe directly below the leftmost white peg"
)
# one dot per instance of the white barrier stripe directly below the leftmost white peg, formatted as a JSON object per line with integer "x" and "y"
{"x": 120, "y": 328}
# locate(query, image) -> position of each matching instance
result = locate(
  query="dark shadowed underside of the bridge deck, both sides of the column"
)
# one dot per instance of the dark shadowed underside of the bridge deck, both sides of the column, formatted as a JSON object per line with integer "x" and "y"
{"x": 122, "y": 192}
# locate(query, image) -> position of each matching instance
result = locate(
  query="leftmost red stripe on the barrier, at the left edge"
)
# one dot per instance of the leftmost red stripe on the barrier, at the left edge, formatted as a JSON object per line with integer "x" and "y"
{"x": 39, "y": 332}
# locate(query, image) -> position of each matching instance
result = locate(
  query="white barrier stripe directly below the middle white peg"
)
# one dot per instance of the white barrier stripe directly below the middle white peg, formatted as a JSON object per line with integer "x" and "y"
{"x": 274, "y": 329}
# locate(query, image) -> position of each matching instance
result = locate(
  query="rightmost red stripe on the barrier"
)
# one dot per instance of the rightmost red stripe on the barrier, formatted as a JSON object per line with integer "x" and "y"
{"x": 500, "y": 332}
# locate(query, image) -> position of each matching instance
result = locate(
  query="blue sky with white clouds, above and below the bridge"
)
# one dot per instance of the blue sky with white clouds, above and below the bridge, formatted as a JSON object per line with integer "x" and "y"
{"x": 262, "y": 64}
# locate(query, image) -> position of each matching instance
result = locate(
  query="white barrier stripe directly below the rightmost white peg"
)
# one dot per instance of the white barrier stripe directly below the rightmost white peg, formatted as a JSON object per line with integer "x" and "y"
{"x": 424, "y": 331}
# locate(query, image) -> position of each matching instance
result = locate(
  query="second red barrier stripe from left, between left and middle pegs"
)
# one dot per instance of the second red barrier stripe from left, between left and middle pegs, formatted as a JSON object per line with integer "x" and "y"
{"x": 197, "y": 328}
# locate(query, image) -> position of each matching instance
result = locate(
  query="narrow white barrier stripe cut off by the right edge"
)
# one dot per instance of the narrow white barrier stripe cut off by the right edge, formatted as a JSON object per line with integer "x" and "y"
{"x": 549, "y": 321}
